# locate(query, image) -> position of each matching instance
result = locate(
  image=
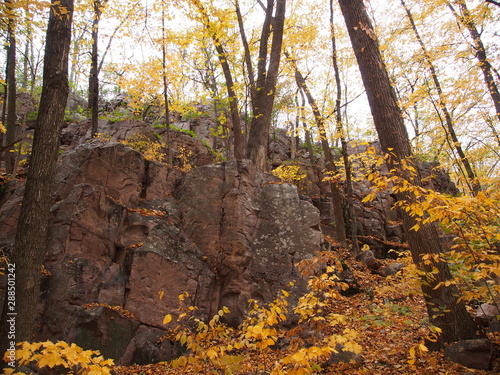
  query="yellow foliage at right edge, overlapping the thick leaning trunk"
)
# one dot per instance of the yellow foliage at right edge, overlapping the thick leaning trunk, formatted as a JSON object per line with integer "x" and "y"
{"x": 472, "y": 222}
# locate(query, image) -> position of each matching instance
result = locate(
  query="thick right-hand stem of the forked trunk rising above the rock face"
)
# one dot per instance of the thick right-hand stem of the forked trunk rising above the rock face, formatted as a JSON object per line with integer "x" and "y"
{"x": 265, "y": 84}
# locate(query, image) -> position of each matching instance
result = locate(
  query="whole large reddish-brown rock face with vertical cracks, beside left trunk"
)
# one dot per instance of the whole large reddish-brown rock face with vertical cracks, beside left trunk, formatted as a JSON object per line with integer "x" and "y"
{"x": 125, "y": 231}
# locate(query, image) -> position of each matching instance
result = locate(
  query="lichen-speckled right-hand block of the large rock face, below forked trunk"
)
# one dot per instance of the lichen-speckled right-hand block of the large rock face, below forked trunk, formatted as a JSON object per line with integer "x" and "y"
{"x": 251, "y": 229}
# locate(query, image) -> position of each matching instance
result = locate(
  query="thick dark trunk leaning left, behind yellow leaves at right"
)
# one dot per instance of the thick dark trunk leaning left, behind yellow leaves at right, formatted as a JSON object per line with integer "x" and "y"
{"x": 443, "y": 305}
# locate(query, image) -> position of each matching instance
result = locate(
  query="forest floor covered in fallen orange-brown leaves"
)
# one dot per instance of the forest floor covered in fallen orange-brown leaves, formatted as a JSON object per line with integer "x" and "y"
{"x": 390, "y": 318}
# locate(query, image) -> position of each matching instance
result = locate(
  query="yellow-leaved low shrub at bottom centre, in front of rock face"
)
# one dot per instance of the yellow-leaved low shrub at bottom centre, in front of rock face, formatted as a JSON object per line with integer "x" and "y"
{"x": 224, "y": 347}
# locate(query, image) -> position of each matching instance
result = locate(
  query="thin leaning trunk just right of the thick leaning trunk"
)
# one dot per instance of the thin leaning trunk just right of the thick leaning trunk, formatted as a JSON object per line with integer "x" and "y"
{"x": 472, "y": 182}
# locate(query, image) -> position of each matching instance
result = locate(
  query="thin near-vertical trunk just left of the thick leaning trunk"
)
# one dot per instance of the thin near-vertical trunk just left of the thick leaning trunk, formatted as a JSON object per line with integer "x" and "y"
{"x": 352, "y": 225}
